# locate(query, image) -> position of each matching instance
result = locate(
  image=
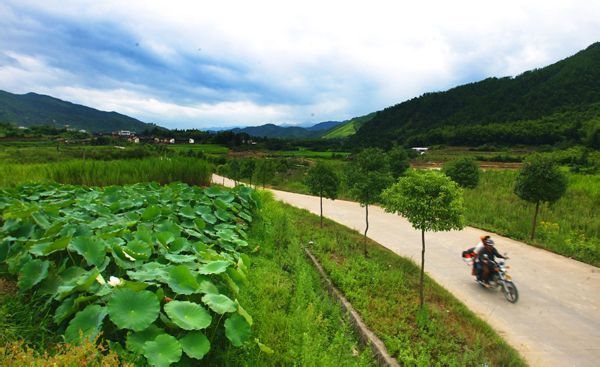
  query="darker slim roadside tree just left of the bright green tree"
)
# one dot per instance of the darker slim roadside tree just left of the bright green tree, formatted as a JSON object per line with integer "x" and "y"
{"x": 366, "y": 176}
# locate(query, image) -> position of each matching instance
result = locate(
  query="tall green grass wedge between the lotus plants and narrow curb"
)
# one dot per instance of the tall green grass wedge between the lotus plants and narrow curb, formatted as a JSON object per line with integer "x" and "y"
{"x": 293, "y": 314}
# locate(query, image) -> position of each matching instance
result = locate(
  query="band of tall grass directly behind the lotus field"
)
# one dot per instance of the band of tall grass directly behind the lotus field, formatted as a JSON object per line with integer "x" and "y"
{"x": 103, "y": 173}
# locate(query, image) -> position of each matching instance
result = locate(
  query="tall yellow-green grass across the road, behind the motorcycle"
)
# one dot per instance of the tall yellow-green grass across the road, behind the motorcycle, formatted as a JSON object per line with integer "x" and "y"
{"x": 569, "y": 227}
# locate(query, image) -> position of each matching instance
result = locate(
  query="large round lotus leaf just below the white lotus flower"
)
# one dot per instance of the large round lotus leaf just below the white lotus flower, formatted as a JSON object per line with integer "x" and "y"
{"x": 133, "y": 310}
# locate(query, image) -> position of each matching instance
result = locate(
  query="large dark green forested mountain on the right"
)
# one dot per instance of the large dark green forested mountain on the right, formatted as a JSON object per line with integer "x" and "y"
{"x": 554, "y": 104}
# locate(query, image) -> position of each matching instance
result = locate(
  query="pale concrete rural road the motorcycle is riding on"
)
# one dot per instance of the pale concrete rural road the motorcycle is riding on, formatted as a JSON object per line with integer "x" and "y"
{"x": 556, "y": 321}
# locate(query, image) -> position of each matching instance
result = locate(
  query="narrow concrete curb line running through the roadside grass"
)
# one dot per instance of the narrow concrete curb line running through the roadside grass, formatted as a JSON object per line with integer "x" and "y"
{"x": 366, "y": 335}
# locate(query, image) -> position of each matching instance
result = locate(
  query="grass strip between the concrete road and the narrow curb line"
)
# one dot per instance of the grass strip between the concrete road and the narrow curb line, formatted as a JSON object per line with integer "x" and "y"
{"x": 384, "y": 289}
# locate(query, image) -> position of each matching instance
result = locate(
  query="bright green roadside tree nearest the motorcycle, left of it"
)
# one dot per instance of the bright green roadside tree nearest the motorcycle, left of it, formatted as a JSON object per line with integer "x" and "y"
{"x": 430, "y": 201}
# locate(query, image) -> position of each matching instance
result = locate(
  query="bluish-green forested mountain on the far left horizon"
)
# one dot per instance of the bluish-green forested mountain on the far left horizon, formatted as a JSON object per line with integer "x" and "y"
{"x": 35, "y": 109}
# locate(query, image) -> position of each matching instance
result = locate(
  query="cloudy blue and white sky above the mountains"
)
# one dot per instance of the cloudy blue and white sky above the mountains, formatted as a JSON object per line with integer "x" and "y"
{"x": 220, "y": 64}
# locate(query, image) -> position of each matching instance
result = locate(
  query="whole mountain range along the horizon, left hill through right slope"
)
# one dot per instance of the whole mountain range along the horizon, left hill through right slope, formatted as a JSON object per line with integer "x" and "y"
{"x": 559, "y": 103}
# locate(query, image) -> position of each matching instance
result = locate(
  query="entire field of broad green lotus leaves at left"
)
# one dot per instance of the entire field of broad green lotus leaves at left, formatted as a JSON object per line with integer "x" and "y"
{"x": 154, "y": 269}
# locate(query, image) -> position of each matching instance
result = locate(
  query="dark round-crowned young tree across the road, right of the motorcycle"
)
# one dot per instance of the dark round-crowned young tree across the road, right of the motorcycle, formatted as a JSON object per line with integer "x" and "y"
{"x": 540, "y": 180}
